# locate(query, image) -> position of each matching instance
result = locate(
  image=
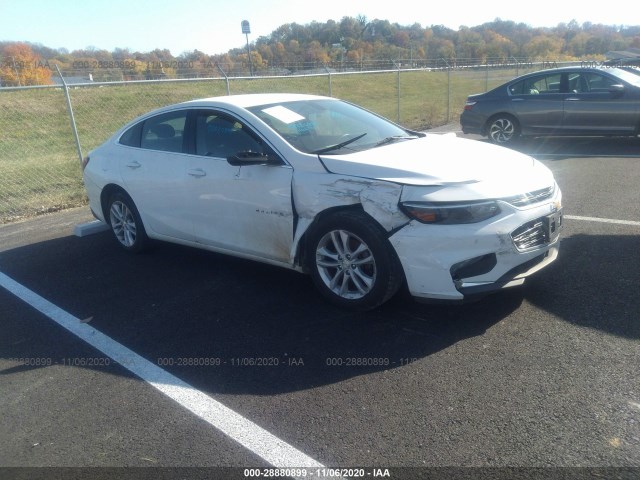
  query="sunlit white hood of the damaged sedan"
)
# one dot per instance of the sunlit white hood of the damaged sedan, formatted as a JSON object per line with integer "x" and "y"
{"x": 438, "y": 160}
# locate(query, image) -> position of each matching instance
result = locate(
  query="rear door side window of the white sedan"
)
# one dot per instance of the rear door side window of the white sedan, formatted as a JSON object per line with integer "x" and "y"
{"x": 164, "y": 132}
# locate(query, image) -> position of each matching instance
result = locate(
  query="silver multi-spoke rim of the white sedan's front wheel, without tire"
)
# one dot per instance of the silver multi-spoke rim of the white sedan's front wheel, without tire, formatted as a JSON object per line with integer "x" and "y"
{"x": 346, "y": 264}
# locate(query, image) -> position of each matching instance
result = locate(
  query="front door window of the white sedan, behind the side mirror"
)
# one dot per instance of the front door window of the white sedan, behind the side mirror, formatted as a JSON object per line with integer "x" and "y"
{"x": 221, "y": 136}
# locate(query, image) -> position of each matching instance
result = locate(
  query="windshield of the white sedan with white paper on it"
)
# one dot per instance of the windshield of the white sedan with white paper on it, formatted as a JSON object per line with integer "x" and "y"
{"x": 329, "y": 126}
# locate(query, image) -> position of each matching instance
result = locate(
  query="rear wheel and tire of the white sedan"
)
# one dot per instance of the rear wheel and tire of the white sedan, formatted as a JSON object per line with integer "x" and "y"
{"x": 126, "y": 224}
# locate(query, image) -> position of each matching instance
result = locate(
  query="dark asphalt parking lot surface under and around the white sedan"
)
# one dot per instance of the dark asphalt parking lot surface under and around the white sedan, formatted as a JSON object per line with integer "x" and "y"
{"x": 535, "y": 378}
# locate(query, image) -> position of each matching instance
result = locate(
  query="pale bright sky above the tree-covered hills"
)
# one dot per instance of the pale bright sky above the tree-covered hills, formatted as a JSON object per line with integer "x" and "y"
{"x": 213, "y": 26}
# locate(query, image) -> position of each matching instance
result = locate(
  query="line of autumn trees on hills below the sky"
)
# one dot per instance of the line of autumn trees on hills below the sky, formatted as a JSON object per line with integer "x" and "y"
{"x": 350, "y": 41}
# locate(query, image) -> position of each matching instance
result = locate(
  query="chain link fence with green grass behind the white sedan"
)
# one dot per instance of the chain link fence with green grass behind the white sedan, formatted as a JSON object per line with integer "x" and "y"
{"x": 40, "y": 150}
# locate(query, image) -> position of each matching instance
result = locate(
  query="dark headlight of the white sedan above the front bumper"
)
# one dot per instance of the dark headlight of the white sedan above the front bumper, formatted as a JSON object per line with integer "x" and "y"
{"x": 450, "y": 213}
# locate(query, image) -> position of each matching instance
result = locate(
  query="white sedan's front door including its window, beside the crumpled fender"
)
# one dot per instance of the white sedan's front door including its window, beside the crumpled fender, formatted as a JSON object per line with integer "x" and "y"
{"x": 244, "y": 209}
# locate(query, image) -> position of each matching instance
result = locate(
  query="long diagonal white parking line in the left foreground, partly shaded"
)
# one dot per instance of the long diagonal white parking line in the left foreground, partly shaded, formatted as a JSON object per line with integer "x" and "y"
{"x": 259, "y": 441}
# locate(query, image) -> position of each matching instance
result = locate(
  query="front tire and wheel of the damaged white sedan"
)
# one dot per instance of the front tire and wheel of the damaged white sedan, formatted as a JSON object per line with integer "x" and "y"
{"x": 352, "y": 263}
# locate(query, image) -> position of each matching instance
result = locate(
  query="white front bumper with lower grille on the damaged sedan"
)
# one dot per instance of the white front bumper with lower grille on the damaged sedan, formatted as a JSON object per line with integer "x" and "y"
{"x": 459, "y": 262}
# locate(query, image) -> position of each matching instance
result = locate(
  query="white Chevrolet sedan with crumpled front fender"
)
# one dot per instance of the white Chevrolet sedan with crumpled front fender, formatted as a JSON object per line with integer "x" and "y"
{"x": 322, "y": 186}
